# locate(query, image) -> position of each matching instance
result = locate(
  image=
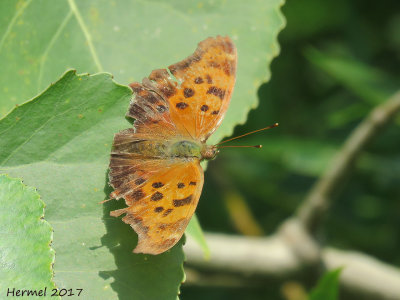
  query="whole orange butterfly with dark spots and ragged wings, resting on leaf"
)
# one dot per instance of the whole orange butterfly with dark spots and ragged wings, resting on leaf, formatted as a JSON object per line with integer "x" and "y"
{"x": 155, "y": 166}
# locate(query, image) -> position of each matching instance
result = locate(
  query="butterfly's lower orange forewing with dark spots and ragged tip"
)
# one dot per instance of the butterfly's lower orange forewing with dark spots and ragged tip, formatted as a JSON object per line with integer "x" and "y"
{"x": 161, "y": 205}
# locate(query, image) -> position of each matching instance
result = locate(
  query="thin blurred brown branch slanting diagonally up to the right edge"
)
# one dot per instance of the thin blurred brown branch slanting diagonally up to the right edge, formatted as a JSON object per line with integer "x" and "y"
{"x": 316, "y": 203}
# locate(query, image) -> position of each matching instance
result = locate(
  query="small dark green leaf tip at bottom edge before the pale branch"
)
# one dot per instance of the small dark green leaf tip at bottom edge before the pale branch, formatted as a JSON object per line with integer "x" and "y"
{"x": 327, "y": 287}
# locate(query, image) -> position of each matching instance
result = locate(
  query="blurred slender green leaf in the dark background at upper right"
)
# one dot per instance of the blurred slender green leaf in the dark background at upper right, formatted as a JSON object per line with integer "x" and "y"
{"x": 371, "y": 85}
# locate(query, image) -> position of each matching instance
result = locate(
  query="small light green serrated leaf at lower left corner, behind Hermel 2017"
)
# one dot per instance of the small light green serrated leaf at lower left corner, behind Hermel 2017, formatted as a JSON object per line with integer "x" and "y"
{"x": 25, "y": 254}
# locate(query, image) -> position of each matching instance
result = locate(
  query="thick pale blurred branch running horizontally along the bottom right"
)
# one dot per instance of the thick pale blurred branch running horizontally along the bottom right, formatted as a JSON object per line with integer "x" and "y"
{"x": 234, "y": 257}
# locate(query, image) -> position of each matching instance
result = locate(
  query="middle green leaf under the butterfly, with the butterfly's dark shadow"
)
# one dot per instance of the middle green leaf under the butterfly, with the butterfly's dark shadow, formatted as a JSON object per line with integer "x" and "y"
{"x": 60, "y": 142}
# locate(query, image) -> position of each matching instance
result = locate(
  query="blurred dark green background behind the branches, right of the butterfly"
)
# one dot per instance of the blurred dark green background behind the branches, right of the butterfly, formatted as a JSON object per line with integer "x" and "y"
{"x": 332, "y": 70}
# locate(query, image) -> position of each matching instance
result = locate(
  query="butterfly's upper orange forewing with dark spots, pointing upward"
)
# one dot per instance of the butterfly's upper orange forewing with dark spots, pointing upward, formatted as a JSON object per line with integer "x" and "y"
{"x": 198, "y": 101}
